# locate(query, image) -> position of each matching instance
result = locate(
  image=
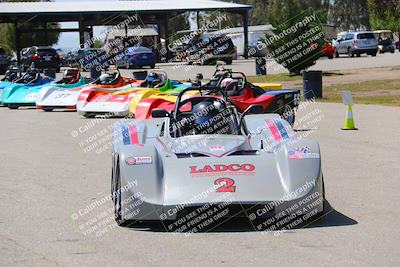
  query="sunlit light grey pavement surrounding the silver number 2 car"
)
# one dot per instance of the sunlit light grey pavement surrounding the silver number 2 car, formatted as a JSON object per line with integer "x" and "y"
{"x": 46, "y": 177}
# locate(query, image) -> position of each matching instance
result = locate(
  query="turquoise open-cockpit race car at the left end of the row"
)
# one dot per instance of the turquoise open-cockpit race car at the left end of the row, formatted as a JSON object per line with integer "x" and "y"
{"x": 23, "y": 92}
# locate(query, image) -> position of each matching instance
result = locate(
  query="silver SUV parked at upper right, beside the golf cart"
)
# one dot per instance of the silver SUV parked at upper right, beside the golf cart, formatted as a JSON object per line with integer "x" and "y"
{"x": 356, "y": 43}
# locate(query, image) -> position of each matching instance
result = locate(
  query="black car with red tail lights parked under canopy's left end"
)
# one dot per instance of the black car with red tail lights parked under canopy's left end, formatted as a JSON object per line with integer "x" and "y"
{"x": 42, "y": 57}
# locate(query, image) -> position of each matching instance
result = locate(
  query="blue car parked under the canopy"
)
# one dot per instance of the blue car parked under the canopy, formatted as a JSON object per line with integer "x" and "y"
{"x": 137, "y": 57}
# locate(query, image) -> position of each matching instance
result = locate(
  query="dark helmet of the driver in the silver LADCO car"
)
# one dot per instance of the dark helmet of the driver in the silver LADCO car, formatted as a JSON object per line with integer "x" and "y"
{"x": 206, "y": 110}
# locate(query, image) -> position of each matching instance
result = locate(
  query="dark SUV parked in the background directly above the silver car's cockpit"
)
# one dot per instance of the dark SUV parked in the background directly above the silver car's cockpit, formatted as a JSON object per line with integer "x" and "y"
{"x": 210, "y": 48}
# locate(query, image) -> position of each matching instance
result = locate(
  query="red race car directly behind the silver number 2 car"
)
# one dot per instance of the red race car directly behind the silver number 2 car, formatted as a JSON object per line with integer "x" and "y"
{"x": 240, "y": 92}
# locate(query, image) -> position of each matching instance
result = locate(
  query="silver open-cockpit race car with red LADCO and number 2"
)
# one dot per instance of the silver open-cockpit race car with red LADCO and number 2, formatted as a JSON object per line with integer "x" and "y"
{"x": 204, "y": 162}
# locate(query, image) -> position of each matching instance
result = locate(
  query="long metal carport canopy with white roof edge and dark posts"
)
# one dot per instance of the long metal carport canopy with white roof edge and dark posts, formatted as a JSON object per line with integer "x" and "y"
{"x": 109, "y": 12}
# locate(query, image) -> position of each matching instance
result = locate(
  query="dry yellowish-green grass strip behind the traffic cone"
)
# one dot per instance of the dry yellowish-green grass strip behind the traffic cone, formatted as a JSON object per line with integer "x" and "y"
{"x": 381, "y": 92}
